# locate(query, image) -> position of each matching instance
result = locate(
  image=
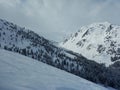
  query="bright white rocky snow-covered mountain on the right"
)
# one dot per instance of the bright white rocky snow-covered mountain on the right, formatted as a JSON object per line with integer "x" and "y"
{"x": 98, "y": 41}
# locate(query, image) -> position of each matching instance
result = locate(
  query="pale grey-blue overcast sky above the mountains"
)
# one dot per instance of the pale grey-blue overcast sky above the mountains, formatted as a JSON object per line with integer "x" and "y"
{"x": 56, "y": 19}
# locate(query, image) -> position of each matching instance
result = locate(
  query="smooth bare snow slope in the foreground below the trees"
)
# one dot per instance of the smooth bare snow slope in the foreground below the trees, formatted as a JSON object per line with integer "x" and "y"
{"x": 18, "y": 72}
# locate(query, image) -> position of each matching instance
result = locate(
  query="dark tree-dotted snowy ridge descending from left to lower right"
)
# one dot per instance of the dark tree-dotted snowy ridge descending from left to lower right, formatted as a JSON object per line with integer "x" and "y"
{"x": 23, "y": 41}
